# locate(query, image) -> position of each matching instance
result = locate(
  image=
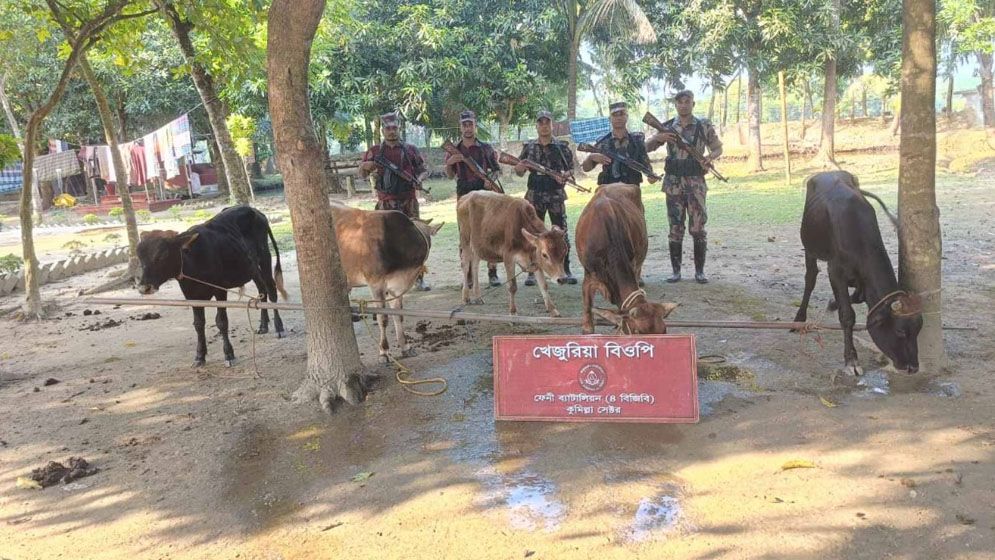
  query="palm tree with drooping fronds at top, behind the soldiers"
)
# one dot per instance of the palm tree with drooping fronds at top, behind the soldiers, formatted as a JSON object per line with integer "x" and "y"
{"x": 623, "y": 19}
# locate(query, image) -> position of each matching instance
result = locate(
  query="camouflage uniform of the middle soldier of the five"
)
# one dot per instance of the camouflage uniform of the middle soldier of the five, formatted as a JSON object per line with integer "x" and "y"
{"x": 545, "y": 193}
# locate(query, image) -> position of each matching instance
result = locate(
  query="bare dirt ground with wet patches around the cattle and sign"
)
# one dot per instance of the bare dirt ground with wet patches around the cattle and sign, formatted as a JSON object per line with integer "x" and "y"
{"x": 214, "y": 463}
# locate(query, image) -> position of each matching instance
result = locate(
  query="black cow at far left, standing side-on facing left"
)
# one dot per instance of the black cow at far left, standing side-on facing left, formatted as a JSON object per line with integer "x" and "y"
{"x": 228, "y": 251}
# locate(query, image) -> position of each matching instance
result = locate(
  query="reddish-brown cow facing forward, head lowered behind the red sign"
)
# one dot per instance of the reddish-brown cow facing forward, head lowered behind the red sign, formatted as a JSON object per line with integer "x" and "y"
{"x": 611, "y": 245}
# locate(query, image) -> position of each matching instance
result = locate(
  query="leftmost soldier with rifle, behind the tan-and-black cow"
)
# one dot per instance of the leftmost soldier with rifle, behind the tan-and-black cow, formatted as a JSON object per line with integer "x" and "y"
{"x": 393, "y": 192}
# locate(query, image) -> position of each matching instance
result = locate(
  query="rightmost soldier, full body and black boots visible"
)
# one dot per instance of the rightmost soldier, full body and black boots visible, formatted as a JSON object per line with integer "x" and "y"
{"x": 684, "y": 182}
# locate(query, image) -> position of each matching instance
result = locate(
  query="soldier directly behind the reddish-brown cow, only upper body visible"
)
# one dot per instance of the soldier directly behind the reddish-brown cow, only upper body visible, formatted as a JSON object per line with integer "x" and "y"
{"x": 631, "y": 144}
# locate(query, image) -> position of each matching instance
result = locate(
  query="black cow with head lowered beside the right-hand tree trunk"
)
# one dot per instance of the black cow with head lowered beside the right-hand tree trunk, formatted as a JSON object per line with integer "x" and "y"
{"x": 840, "y": 226}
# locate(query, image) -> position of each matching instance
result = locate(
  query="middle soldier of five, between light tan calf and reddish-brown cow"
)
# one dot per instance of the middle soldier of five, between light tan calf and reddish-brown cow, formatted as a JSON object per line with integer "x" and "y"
{"x": 546, "y": 193}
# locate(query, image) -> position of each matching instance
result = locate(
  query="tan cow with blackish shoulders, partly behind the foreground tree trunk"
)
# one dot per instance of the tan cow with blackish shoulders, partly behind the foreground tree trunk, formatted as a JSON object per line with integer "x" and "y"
{"x": 385, "y": 250}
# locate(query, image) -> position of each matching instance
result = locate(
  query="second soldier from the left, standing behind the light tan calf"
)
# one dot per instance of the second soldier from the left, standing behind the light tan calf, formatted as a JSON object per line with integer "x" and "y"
{"x": 457, "y": 167}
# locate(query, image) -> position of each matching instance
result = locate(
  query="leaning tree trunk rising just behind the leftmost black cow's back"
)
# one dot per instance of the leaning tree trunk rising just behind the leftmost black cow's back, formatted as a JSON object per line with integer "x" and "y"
{"x": 238, "y": 182}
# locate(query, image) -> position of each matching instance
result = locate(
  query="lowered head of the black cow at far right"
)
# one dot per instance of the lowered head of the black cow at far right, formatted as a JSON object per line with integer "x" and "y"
{"x": 895, "y": 330}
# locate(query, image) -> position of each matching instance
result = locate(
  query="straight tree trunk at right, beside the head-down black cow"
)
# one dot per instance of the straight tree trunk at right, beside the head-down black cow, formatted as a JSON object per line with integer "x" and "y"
{"x": 919, "y": 243}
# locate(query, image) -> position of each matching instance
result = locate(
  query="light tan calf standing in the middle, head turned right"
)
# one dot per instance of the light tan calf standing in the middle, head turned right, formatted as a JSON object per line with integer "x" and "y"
{"x": 499, "y": 228}
